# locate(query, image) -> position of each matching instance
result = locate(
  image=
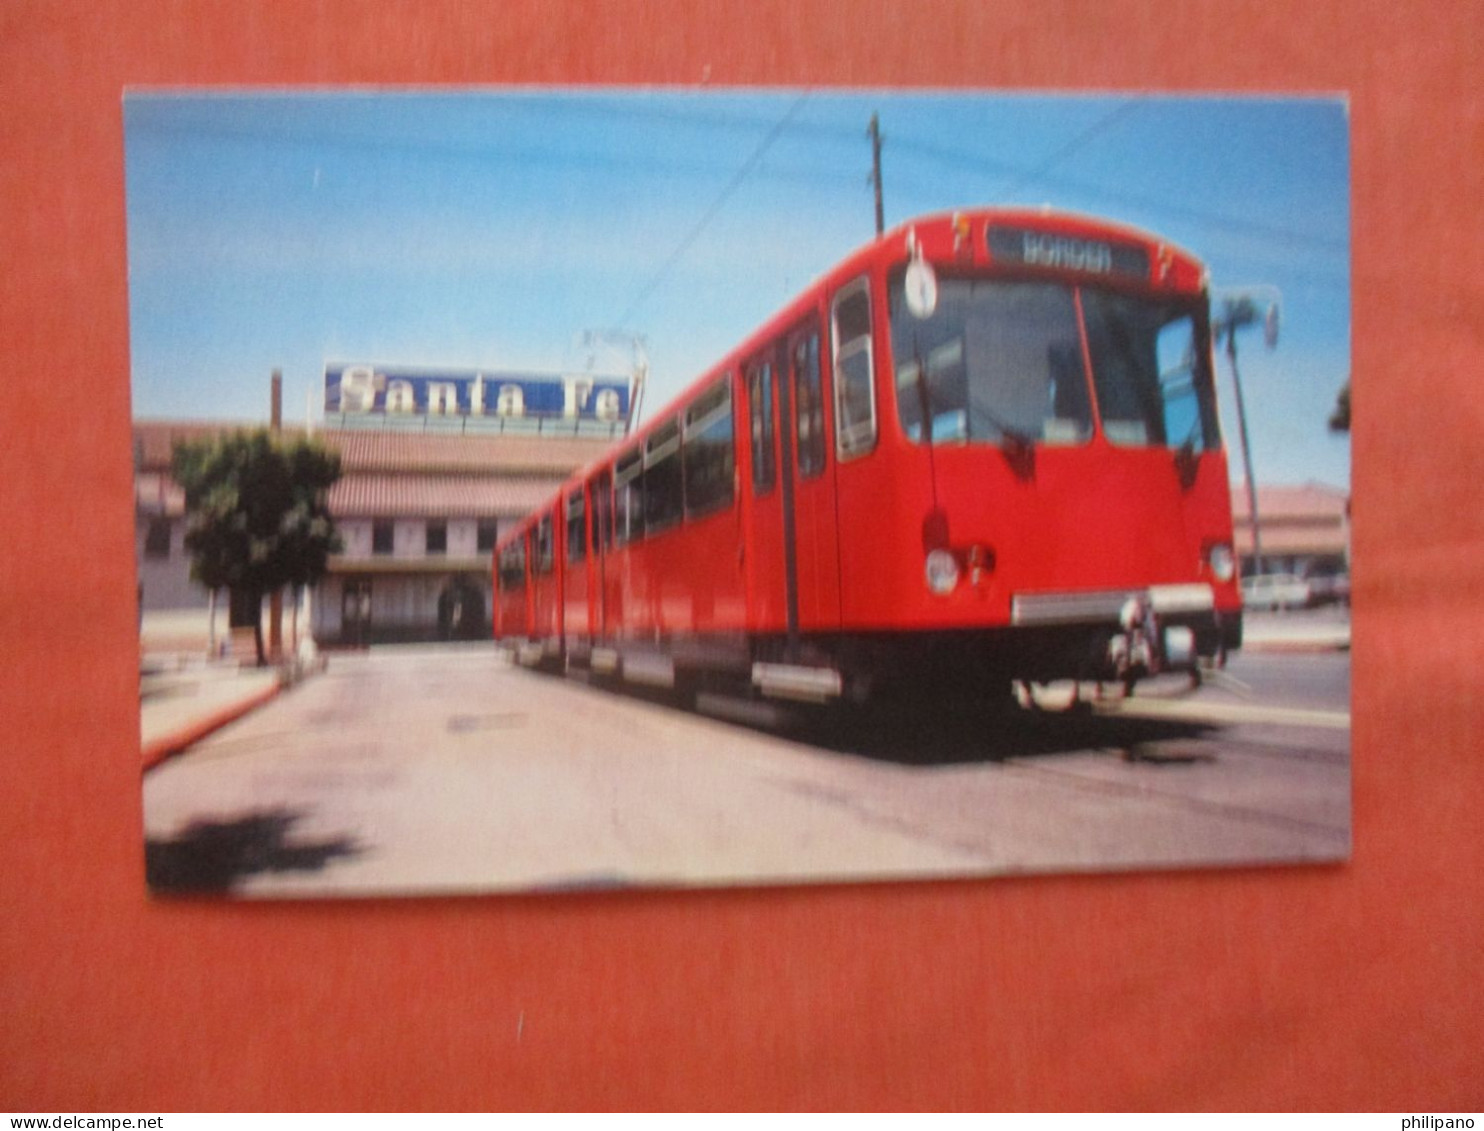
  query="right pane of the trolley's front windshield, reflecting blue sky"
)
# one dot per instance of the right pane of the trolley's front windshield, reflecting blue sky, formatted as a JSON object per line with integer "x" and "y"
{"x": 1151, "y": 372}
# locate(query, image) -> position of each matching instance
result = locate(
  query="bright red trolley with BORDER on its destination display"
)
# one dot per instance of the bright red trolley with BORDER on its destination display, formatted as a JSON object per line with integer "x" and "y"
{"x": 985, "y": 449}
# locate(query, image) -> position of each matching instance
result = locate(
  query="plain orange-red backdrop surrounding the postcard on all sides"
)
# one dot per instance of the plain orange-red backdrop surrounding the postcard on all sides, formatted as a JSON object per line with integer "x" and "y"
{"x": 1356, "y": 988}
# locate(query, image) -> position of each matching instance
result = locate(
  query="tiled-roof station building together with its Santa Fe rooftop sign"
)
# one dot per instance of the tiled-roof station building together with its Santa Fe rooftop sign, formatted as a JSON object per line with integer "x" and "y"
{"x": 422, "y": 499}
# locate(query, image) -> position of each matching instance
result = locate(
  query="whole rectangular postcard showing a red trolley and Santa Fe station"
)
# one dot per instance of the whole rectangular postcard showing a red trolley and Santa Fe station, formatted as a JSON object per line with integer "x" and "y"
{"x": 599, "y": 489}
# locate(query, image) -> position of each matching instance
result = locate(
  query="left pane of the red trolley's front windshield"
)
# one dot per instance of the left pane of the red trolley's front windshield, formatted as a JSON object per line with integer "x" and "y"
{"x": 997, "y": 363}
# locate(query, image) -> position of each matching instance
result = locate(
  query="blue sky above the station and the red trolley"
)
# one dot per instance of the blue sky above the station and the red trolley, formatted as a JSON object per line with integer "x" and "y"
{"x": 493, "y": 228}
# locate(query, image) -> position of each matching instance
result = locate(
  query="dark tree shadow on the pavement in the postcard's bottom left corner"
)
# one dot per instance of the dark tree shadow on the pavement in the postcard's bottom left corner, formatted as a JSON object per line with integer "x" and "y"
{"x": 210, "y": 857}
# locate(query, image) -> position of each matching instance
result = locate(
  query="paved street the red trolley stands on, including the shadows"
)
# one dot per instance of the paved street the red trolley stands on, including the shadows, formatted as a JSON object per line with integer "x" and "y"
{"x": 449, "y": 771}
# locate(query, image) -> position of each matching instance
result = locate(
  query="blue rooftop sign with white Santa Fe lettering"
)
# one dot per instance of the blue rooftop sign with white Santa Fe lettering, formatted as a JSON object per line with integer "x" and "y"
{"x": 403, "y": 391}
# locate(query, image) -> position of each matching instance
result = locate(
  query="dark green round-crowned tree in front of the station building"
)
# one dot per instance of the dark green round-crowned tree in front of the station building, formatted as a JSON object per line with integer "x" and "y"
{"x": 257, "y": 516}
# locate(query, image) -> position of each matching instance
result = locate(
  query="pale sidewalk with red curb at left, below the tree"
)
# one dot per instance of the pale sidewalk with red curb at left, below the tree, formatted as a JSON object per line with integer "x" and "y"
{"x": 183, "y": 700}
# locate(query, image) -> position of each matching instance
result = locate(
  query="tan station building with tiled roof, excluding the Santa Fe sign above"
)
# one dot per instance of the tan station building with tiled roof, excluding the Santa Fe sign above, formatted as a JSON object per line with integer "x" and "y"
{"x": 419, "y": 516}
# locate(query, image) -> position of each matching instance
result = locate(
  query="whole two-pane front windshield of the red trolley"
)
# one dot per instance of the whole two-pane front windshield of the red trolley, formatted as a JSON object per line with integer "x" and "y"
{"x": 1008, "y": 363}
